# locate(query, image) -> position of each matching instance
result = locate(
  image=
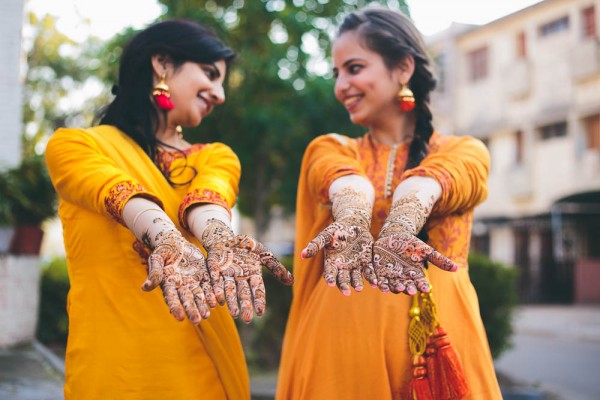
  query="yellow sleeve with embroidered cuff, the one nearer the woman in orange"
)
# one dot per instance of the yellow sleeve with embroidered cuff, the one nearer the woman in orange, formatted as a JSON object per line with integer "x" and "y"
{"x": 217, "y": 181}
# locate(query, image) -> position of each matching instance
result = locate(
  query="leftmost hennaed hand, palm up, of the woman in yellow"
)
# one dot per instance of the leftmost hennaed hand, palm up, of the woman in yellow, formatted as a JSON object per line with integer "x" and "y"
{"x": 179, "y": 268}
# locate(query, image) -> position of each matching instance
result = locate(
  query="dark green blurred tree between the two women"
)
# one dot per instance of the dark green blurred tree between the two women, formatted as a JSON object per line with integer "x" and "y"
{"x": 280, "y": 93}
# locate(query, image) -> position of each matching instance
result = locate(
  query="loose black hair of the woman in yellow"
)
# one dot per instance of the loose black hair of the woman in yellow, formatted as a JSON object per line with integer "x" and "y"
{"x": 133, "y": 110}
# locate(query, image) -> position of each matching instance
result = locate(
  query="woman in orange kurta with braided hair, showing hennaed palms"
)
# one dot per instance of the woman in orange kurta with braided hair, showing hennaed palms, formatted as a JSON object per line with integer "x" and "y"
{"x": 364, "y": 201}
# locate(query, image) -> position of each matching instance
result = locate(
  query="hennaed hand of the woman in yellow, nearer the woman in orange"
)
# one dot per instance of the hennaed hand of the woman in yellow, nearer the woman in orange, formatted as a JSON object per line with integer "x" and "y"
{"x": 235, "y": 265}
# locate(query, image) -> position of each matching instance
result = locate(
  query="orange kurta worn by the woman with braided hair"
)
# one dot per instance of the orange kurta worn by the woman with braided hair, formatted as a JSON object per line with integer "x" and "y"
{"x": 356, "y": 347}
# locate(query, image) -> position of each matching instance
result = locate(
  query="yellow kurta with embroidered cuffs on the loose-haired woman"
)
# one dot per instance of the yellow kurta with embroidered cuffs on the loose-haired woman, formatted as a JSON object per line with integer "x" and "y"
{"x": 123, "y": 343}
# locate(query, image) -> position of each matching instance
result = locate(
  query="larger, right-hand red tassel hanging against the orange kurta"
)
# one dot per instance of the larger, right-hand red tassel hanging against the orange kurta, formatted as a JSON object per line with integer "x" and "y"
{"x": 450, "y": 382}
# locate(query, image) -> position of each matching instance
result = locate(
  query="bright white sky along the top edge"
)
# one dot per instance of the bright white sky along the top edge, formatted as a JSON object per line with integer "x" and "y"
{"x": 103, "y": 18}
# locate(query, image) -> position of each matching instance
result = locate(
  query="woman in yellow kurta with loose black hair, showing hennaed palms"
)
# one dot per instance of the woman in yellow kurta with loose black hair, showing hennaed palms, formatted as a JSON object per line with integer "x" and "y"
{"x": 135, "y": 200}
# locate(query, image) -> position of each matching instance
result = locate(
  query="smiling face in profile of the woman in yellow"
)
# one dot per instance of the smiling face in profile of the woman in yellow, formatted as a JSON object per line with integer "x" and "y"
{"x": 195, "y": 90}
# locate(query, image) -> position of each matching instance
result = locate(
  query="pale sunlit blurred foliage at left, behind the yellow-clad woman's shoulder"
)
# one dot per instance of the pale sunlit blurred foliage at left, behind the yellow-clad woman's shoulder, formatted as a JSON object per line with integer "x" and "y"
{"x": 60, "y": 74}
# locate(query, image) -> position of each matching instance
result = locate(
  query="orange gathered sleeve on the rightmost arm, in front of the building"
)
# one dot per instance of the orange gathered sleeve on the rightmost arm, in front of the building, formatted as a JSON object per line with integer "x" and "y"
{"x": 461, "y": 166}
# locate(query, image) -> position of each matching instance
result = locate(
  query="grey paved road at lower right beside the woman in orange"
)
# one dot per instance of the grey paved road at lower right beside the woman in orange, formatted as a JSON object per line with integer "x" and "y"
{"x": 557, "y": 349}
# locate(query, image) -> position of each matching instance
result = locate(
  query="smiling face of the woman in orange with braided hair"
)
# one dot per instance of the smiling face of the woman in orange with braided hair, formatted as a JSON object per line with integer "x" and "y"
{"x": 364, "y": 84}
